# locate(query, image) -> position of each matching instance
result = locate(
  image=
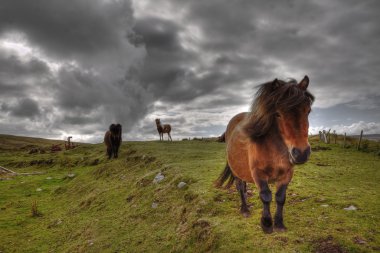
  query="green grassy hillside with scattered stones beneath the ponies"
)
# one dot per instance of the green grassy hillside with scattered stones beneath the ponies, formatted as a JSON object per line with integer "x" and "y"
{"x": 86, "y": 203}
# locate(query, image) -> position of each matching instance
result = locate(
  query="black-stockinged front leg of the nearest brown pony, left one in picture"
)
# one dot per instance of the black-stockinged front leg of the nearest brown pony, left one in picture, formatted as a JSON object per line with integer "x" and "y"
{"x": 266, "y": 198}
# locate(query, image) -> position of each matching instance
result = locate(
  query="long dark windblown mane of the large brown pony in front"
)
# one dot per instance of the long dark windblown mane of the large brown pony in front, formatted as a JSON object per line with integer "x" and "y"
{"x": 269, "y": 97}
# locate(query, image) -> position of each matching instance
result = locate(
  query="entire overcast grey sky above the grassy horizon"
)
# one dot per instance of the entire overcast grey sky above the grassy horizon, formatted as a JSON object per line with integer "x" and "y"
{"x": 74, "y": 67}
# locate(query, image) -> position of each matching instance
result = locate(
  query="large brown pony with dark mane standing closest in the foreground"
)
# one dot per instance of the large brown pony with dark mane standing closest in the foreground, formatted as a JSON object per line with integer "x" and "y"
{"x": 264, "y": 145}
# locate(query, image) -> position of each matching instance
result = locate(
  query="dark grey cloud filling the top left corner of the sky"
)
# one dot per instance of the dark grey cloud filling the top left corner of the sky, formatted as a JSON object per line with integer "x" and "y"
{"x": 67, "y": 28}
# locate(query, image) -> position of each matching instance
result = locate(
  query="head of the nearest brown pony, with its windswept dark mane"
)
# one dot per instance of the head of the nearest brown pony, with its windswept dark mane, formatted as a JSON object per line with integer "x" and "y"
{"x": 283, "y": 107}
